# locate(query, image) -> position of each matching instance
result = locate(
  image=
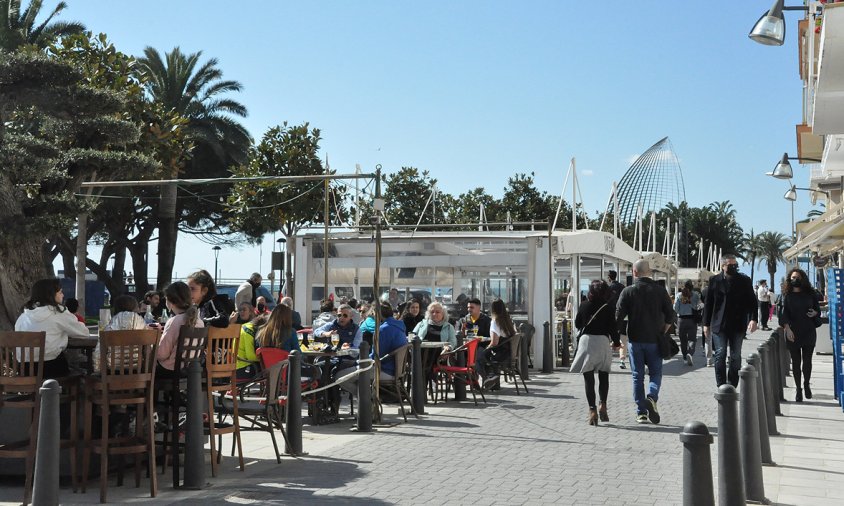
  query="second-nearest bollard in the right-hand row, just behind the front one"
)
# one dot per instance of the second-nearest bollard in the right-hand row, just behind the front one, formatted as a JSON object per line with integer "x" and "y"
{"x": 730, "y": 472}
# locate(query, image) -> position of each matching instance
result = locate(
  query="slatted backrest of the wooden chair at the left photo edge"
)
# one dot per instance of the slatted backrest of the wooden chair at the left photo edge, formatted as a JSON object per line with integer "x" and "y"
{"x": 21, "y": 365}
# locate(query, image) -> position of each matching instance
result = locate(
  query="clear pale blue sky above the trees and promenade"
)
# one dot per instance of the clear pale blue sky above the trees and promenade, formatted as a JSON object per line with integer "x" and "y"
{"x": 476, "y": 91}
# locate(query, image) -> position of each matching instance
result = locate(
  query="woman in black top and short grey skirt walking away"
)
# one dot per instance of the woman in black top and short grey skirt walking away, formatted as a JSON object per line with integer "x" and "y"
{"x": 596, "y": 323}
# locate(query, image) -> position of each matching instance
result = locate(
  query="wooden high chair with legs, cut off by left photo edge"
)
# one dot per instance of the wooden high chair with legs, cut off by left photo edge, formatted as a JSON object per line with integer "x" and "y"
{"x": 21, "y": 372}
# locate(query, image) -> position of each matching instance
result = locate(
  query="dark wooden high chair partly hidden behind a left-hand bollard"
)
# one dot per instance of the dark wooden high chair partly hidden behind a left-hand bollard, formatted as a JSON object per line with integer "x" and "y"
{"x": 190, "y": 346}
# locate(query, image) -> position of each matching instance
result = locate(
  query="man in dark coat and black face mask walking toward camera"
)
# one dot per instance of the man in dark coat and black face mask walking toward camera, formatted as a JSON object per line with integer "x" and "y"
{"x": 730, "y": 312}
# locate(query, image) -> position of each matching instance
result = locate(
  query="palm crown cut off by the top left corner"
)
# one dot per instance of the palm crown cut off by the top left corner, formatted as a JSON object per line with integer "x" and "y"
{"x": 18, "y": 28}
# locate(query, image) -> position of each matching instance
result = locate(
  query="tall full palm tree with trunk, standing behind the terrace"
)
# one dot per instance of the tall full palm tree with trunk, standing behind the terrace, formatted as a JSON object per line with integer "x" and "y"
{"x": 179, "y": 83}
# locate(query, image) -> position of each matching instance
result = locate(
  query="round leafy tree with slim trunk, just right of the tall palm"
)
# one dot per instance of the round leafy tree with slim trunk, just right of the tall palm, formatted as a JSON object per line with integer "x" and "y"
{"x": 256, "y": 208}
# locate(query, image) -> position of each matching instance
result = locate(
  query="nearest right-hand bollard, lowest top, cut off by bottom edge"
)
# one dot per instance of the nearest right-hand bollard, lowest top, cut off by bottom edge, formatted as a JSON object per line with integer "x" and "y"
{"x": 697, "y": 465}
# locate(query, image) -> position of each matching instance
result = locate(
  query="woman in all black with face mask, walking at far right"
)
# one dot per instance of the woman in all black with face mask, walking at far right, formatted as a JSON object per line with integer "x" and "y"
{"x": 800, "y": 307}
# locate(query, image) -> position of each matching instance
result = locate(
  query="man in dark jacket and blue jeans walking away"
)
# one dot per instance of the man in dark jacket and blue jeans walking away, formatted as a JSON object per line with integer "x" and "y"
{"x": 647, "y": 307}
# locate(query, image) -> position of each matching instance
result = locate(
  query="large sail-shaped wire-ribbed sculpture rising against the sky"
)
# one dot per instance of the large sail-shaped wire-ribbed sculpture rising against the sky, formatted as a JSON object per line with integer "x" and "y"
{"x": 654, "y": 180}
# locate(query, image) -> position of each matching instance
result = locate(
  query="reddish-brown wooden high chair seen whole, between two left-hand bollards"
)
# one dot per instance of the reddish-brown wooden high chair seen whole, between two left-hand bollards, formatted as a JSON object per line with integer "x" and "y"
{"x": 126, "y": 378}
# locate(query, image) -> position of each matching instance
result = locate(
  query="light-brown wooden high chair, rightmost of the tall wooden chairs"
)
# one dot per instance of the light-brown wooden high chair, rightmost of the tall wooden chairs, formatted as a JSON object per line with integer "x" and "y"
{"x": 220, "y": 377}
